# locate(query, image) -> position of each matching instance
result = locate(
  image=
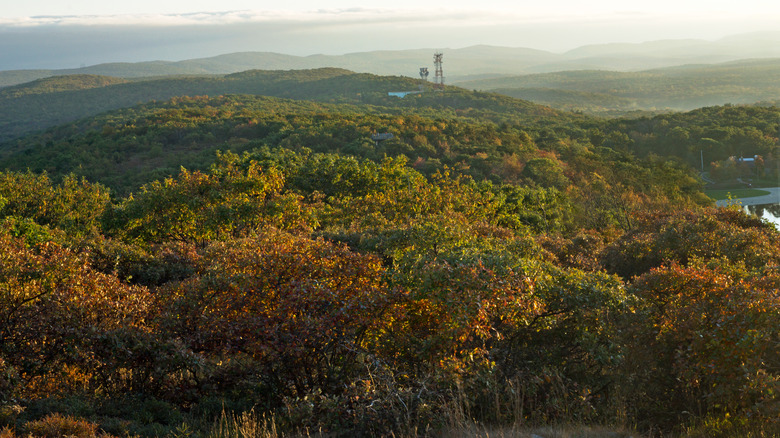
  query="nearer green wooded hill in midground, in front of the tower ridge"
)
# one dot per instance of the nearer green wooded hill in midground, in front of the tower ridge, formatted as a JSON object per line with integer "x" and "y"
{"x": 129, "y": 147}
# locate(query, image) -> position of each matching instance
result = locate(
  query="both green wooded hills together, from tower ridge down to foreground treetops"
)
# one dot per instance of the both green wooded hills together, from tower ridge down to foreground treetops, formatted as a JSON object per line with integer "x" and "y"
{"x": 128, "y": 132}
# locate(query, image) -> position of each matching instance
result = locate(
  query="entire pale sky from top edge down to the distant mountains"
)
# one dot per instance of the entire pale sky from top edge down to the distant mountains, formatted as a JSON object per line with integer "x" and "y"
{"x": 73, "y": 33}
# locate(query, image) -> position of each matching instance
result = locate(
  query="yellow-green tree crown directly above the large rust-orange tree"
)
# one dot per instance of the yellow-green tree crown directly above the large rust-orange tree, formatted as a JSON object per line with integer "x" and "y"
{"x": 199, "y": 207}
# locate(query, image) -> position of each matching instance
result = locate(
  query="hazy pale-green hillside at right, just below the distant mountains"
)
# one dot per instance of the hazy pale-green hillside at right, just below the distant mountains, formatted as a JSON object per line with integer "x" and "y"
{"x": 678, "y": 88}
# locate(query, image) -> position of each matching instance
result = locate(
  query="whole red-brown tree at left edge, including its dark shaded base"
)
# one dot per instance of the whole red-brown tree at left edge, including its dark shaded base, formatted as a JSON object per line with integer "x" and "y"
{"x": 66, "y": 326}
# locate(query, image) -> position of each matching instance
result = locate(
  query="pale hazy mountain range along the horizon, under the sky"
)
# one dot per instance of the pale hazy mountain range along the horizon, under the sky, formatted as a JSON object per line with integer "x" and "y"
{"x": 459, "y": 64}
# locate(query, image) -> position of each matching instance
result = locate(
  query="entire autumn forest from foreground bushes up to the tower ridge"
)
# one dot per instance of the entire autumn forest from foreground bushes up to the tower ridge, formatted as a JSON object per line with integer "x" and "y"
{"x": 199, "y": 264}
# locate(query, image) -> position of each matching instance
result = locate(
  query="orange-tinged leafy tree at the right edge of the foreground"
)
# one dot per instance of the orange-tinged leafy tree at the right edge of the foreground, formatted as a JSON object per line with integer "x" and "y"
{"x": 712, "y": 328}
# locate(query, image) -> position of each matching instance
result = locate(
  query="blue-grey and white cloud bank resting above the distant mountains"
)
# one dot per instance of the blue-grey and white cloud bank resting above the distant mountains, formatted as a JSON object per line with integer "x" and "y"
{"x": 72, "y": 41}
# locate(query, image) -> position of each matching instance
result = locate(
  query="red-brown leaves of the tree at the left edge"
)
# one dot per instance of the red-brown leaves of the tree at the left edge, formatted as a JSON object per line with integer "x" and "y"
{"x": 55, "y": 308}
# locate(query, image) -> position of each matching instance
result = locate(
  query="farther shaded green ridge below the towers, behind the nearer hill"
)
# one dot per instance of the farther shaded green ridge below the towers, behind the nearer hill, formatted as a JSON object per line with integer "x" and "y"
{"x": 49, "y": 102}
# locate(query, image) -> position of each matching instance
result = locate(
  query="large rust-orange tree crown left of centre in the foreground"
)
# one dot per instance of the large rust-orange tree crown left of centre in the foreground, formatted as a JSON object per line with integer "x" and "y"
{"x": 303, "y": 309}
